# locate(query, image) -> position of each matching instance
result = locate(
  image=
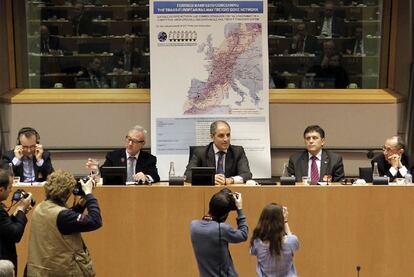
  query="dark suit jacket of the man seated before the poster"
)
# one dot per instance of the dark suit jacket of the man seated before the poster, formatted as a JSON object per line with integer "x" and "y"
{"x": 236, "y": 161}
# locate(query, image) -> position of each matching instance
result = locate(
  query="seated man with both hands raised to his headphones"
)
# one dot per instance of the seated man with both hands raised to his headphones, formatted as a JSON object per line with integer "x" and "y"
{"x": 29, "y": 160}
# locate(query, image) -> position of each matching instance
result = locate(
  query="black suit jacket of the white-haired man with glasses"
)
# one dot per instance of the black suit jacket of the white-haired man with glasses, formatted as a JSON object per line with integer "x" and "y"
{"x": 146, "y": 164}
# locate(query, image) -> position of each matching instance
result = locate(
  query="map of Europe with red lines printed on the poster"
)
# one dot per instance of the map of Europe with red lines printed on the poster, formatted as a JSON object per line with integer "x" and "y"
{"x": 234, "y": 72}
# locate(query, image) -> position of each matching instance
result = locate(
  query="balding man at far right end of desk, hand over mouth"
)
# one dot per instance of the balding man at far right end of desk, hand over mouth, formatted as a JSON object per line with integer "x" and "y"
{"x": 392, "y": 162}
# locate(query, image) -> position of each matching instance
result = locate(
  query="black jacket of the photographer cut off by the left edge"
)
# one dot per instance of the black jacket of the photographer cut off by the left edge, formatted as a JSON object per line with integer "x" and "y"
{"x": 11, "y": 232}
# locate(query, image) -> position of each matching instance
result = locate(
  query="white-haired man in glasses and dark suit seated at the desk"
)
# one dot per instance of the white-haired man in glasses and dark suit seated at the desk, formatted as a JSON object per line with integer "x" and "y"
{"x": 141, "y": 166}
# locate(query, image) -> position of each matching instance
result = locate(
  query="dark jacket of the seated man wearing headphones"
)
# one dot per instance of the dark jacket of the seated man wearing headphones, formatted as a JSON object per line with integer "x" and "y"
{"x": 41, "y": 172}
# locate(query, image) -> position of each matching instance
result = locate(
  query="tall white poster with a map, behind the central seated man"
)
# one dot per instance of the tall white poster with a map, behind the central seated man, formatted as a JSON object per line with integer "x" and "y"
{"x": 209, "y": 61}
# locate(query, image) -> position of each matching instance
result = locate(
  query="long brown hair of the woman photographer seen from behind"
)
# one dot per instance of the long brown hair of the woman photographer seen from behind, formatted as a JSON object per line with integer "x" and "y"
{"x": 271, "y": 227}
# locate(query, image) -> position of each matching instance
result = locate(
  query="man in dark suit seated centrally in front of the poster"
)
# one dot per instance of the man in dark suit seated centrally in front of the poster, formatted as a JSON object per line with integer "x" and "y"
{"x": 230, "y": 161}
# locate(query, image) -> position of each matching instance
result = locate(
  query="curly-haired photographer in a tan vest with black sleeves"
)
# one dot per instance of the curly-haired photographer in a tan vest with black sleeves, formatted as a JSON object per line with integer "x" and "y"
{"x": 56, "y": 247}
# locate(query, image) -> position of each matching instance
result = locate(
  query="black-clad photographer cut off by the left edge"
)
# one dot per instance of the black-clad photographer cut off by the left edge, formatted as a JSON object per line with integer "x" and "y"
{"x": 11, "y": 227}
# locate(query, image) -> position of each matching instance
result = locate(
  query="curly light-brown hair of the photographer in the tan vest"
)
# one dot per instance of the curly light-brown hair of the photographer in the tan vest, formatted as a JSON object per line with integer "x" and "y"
{"x": 59, "y": 186}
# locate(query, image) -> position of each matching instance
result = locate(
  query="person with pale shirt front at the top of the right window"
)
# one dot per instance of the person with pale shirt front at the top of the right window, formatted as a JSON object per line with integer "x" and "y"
{"x": 330, "y": 25}
